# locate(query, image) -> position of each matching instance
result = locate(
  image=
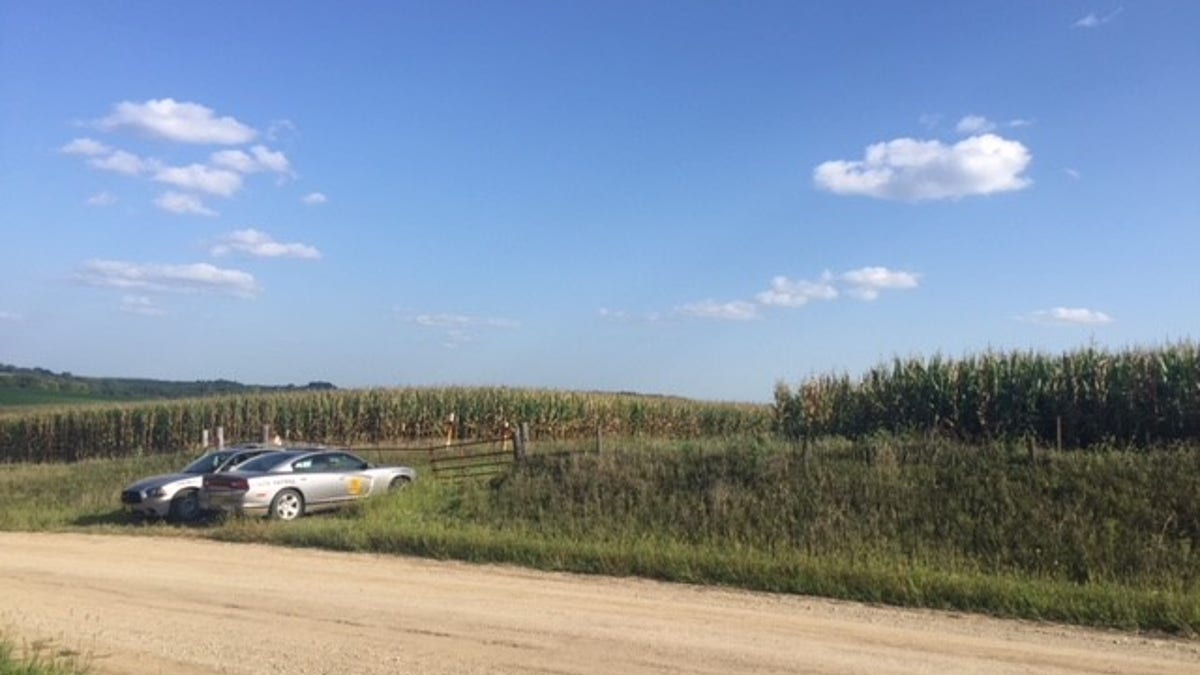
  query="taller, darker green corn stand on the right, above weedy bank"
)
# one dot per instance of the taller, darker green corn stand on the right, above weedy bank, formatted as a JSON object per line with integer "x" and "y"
{"x": 1082, "y": 398}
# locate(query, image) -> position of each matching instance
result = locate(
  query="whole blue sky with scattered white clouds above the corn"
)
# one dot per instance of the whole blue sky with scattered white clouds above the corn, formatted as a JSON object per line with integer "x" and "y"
{"x": 693, "y": 199}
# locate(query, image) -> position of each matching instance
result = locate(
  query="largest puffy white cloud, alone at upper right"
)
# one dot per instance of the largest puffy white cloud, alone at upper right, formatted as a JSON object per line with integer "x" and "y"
{"x": 913, "y": 170}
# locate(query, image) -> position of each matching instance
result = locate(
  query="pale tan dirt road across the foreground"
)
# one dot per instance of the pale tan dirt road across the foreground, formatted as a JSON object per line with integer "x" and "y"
{"x": 148, "y": 606}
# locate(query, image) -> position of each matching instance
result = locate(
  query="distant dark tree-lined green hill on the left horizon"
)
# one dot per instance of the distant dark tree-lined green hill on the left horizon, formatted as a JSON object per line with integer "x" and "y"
{"x": 38, "y": 386}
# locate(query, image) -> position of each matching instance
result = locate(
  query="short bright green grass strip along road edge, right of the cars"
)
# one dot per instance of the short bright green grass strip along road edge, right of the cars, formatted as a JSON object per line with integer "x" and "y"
{"x": 417, "y": 523}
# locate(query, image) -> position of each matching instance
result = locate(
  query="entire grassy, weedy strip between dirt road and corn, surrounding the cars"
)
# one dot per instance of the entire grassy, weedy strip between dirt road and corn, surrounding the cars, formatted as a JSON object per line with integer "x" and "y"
{"x": 1101, "y": 539}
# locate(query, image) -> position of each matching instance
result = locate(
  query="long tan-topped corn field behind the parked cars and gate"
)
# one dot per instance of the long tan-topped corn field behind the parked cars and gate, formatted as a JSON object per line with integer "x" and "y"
{"x": 358, "y": 417}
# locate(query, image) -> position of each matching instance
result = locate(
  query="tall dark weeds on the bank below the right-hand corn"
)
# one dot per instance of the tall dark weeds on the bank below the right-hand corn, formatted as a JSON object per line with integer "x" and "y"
{"x": 1103, "y": 517}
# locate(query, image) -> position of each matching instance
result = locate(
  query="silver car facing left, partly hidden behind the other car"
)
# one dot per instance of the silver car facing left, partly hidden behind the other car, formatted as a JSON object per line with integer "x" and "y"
{"x": 176, "y": 497}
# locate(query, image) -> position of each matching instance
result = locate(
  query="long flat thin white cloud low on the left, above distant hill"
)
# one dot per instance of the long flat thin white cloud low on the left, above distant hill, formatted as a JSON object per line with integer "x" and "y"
{"x": 152, "y": 277}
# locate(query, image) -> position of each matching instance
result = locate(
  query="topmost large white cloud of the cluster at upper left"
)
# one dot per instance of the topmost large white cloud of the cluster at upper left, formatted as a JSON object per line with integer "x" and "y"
{"x": 179, "y": 122}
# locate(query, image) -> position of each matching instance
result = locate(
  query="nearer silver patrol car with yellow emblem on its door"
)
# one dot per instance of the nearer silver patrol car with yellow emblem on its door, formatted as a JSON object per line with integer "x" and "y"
{"x": 289, "y": 485}
